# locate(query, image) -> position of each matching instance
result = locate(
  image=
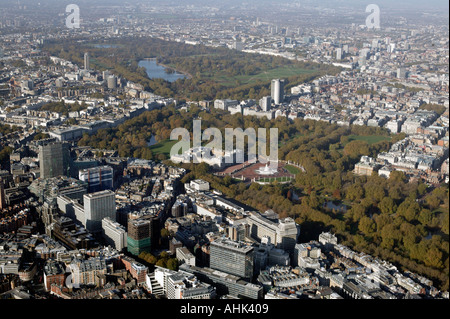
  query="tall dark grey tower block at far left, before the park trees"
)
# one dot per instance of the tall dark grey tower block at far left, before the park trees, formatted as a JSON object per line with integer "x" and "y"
{"x": 54, "y": 159}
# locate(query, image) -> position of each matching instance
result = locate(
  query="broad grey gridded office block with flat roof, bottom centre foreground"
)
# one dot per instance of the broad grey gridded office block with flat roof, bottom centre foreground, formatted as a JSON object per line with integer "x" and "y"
{"x": 232, "y": 257}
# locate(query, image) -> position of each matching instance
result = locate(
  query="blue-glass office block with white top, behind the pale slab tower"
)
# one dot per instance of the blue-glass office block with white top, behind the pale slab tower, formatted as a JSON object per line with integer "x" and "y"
{"x": 98, "y": 178}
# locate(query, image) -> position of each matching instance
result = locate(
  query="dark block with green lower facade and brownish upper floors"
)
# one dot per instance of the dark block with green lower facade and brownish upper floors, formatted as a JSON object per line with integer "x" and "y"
{"x": 138, "y": 237}
